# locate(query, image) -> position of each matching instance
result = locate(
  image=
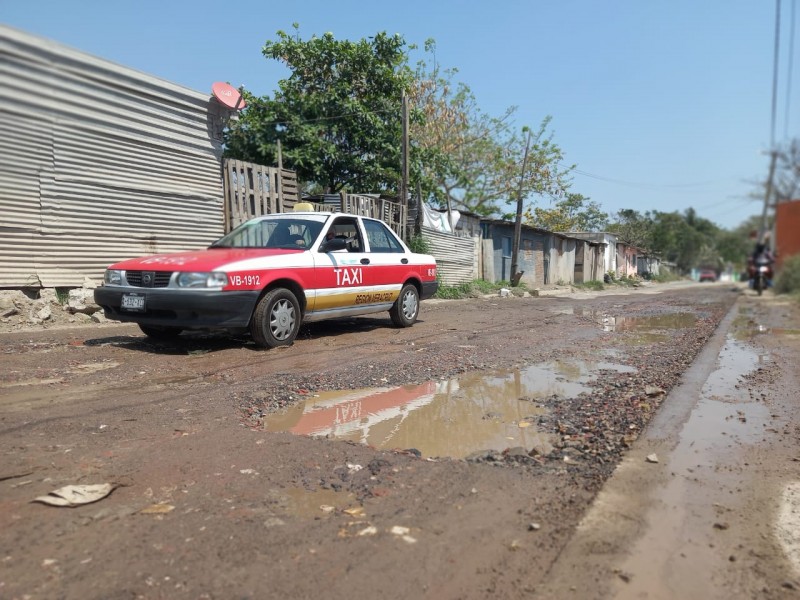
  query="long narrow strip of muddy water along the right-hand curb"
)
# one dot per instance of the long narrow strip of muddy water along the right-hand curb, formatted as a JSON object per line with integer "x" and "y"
{"x": 724, "y": 418}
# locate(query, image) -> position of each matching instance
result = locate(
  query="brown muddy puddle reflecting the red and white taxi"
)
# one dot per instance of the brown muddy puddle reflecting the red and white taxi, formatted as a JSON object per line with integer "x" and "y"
{"x": 453, "y": 418}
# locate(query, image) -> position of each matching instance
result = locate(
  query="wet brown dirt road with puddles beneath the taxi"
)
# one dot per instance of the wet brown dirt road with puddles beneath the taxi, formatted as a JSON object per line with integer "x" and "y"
{"x": 495, "y": 425}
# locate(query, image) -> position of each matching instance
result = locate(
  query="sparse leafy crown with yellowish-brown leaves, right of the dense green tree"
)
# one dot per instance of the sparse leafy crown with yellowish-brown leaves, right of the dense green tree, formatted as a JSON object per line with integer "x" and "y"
{"x": 470, "y": 159}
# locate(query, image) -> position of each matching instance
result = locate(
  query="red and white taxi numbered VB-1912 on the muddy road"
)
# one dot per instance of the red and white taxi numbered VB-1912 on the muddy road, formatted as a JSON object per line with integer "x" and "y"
{"x": 271, "y": 274}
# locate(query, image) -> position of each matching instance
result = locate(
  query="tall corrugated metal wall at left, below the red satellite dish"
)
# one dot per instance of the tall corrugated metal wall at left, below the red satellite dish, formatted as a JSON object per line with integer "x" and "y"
{"x": 98, "y": 163}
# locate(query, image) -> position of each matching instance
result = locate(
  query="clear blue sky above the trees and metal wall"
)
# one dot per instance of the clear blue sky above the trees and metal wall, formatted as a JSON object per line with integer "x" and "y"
{"x": 661, "y": 104}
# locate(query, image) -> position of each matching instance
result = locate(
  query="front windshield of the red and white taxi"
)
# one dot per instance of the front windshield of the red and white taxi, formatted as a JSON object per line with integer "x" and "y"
{"x": 298, "y": 233}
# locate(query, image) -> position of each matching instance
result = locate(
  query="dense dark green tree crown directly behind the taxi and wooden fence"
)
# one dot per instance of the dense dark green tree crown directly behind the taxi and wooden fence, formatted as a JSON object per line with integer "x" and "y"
{"x": 337, "y": 115}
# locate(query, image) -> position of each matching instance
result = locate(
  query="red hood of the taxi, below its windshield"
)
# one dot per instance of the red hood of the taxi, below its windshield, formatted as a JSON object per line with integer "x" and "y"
{"x": 200, "y": 260}
